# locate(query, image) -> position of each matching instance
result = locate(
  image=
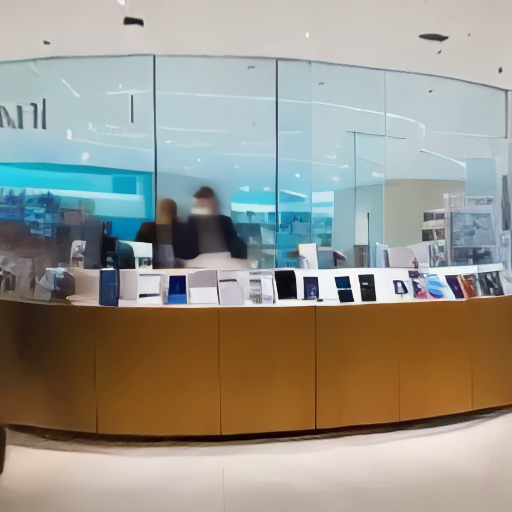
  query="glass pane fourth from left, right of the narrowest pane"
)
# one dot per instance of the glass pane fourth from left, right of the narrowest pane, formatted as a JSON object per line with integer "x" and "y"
{"x": 348, "y": 159}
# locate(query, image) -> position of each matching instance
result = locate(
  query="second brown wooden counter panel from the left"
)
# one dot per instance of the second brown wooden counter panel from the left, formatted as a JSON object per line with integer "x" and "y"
{"x": 158, "y": 372}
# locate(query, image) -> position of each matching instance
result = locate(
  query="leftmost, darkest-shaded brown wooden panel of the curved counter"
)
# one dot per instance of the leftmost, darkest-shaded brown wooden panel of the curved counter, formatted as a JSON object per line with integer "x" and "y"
{"x": 47, "y": 366}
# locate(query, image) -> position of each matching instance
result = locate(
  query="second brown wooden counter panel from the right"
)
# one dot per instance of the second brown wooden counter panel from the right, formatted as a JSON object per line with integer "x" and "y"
{"x": 435, "y": 358}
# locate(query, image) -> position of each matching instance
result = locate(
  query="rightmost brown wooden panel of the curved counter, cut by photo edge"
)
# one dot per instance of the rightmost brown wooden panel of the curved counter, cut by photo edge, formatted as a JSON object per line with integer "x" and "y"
{"x": 491, "y": 319}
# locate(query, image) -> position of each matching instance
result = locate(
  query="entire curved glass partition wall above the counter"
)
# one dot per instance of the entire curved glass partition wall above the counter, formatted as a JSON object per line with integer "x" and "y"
{"x": 352, "y": 159}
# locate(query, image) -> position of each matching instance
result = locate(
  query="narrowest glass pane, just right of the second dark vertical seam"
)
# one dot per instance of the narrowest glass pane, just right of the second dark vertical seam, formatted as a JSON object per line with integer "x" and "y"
{"x": 295, "y": 168}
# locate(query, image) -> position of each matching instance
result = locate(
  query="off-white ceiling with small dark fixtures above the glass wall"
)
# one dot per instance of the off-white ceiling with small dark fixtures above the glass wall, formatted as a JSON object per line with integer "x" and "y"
{"x": 374, "y": 33}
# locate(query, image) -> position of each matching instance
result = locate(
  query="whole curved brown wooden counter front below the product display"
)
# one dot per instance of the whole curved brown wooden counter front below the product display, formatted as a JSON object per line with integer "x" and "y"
{"x": 208, "y": 371}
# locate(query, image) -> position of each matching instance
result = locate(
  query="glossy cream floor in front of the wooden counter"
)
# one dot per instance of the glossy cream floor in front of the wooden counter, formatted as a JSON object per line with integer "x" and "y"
{"x": 459, "y": 468}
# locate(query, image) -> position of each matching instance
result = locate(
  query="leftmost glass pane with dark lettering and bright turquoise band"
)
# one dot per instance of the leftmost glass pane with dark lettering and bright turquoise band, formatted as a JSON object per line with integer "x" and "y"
{"x": 76, "y": 142}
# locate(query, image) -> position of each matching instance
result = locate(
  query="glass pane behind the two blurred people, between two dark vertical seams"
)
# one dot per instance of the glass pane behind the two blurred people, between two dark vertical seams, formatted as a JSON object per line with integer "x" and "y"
{"x": 216, "y": 125}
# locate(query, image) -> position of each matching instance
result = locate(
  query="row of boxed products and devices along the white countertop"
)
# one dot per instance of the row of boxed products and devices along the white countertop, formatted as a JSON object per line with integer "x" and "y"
{"x": 267, "y": 287}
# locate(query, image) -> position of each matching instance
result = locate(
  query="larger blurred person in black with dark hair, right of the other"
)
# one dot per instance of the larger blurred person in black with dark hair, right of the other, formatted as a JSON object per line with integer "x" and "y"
{"x": 211, "y": 232}
